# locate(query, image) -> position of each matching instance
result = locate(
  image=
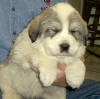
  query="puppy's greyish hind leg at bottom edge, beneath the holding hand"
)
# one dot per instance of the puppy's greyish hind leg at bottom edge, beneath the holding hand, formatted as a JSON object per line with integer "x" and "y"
{"x": 54, "y": 92}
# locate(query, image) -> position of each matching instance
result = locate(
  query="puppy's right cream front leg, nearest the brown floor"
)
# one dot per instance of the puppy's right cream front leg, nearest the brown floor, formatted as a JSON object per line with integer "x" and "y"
{"x": 75, "y": 73}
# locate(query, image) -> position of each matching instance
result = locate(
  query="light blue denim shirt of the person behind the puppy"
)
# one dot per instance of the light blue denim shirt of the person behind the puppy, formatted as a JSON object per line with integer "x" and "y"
{"x": 14, "y": 16}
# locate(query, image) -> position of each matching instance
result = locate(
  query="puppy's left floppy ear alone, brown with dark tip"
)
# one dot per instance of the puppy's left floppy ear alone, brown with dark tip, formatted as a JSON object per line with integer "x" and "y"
{"x": 34, "y": 28}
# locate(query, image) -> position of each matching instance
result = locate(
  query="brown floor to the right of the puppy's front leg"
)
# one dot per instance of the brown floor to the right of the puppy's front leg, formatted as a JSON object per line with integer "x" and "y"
{"x": 92, "y": 64}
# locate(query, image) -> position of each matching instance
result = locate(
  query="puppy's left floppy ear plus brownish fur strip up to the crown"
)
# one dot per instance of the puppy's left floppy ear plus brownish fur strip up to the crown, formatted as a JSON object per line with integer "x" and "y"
{"x": 34, "y": 25}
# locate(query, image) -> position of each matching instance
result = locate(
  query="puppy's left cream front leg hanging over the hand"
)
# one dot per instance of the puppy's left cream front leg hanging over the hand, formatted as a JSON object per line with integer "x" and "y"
{"x": 48, "y": 72}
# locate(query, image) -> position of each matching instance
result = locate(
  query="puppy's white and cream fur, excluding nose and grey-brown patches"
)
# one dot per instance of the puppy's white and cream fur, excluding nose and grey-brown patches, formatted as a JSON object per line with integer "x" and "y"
{"x": 17, "y": 79}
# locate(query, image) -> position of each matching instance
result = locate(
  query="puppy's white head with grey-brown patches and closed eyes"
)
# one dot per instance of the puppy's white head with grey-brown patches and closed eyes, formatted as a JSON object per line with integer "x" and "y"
{"x": 61, "y": 29}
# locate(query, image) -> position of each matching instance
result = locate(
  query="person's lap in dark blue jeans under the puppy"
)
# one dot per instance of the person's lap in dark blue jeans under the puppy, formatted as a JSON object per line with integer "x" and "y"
{"x": 89, "y": 90}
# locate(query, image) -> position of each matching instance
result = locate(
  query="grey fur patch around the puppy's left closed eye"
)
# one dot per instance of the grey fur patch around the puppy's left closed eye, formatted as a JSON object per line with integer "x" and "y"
{"x": 50, "y": 26}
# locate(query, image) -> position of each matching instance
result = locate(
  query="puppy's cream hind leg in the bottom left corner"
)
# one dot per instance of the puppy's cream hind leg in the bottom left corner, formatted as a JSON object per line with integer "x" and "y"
{"x": 9, "y": 93}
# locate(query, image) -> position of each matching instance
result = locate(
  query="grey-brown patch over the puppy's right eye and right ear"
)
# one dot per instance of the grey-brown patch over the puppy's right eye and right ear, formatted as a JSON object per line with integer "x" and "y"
{"x": 77, "y": 27}
